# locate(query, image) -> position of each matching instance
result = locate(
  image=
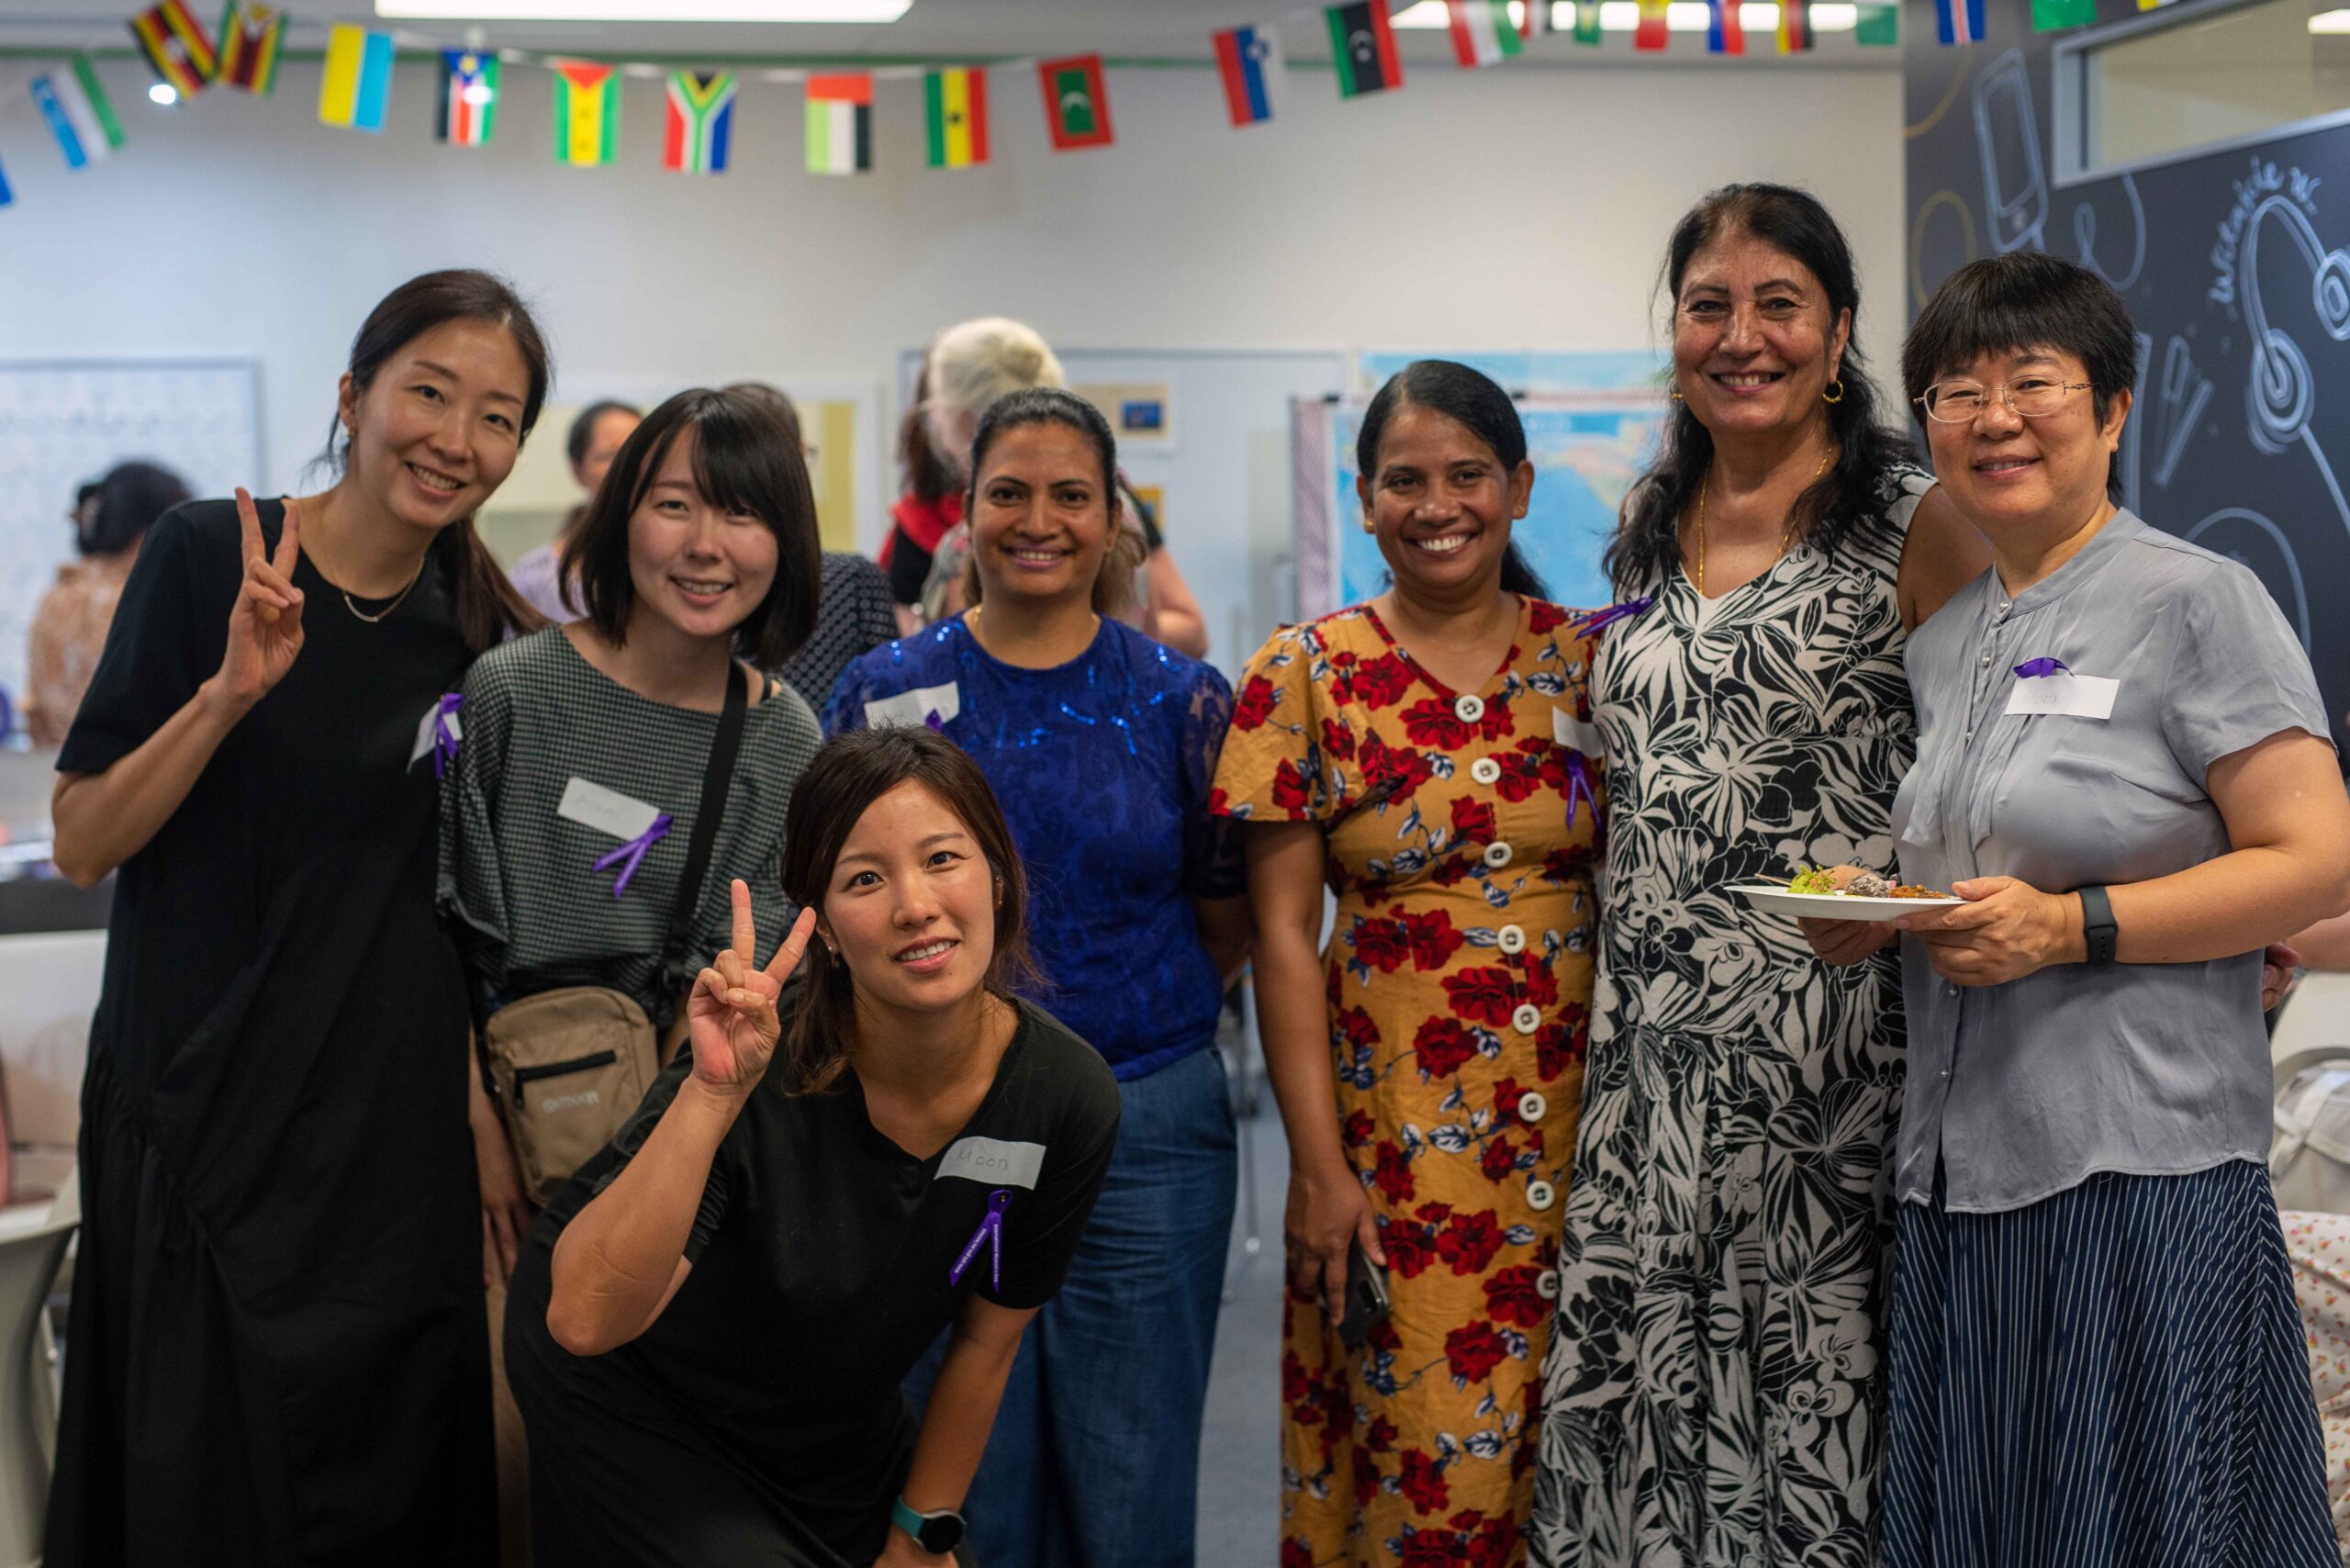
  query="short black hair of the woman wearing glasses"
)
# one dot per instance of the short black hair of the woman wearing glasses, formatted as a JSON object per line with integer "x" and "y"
{"x": 2015, "y": 302}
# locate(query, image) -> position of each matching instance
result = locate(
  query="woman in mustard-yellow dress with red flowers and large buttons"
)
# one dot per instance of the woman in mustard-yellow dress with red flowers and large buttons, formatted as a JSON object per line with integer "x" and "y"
{"x": 1421, "y": 758}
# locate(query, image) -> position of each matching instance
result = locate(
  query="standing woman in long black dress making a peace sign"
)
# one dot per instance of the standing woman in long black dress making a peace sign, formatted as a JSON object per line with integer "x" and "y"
{"x": 276, "y": 1329}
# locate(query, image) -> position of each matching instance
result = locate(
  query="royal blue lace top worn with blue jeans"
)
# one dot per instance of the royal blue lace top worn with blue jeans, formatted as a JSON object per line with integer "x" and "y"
{"x": 1103, "y": 768}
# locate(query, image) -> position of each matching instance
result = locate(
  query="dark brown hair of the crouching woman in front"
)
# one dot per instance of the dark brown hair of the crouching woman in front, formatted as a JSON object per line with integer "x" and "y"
{"x": 847, "y": 777}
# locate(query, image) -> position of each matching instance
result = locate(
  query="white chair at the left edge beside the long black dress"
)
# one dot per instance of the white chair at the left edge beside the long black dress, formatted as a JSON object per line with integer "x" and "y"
{"x": 32, "y": 1249}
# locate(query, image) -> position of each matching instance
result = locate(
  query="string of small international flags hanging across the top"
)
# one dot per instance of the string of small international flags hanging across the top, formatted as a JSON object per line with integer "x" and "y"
{"x": 356, "y": 93}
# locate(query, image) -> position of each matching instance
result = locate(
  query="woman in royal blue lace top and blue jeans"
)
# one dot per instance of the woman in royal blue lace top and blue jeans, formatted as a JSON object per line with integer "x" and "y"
{"x": 1103, "y": 746}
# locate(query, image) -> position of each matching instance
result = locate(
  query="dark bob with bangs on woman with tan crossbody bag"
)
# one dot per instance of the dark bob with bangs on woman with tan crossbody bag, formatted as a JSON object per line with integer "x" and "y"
{"x": 741, "y": 462}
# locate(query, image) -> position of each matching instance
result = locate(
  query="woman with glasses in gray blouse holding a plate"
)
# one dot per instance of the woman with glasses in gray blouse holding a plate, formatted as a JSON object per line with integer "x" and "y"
{"x": 2123, "y": 775}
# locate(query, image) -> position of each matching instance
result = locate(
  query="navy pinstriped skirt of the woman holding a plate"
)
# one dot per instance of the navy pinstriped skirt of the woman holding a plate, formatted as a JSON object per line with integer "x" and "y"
{"x": 2111, "y": 1376}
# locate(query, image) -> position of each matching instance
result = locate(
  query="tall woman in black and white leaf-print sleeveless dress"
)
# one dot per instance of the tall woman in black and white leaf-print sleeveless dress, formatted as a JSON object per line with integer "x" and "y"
{"x": 1714, "y": 1391}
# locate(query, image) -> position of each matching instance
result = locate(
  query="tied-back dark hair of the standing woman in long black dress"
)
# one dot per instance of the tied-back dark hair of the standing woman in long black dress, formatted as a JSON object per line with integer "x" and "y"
{"x": 488, "y": 605}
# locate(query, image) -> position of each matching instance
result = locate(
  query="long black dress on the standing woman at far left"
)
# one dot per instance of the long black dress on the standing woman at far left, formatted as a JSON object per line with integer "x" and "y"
{"x": 276, "y": 1348}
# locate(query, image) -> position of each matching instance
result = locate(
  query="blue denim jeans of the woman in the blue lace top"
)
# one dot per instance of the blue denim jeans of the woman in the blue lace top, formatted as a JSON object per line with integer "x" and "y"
{"x": 1094, "y": 1459}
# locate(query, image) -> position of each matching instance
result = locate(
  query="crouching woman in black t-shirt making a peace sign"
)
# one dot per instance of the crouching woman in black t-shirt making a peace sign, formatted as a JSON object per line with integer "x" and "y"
{"x": 711, "y": 1322}
